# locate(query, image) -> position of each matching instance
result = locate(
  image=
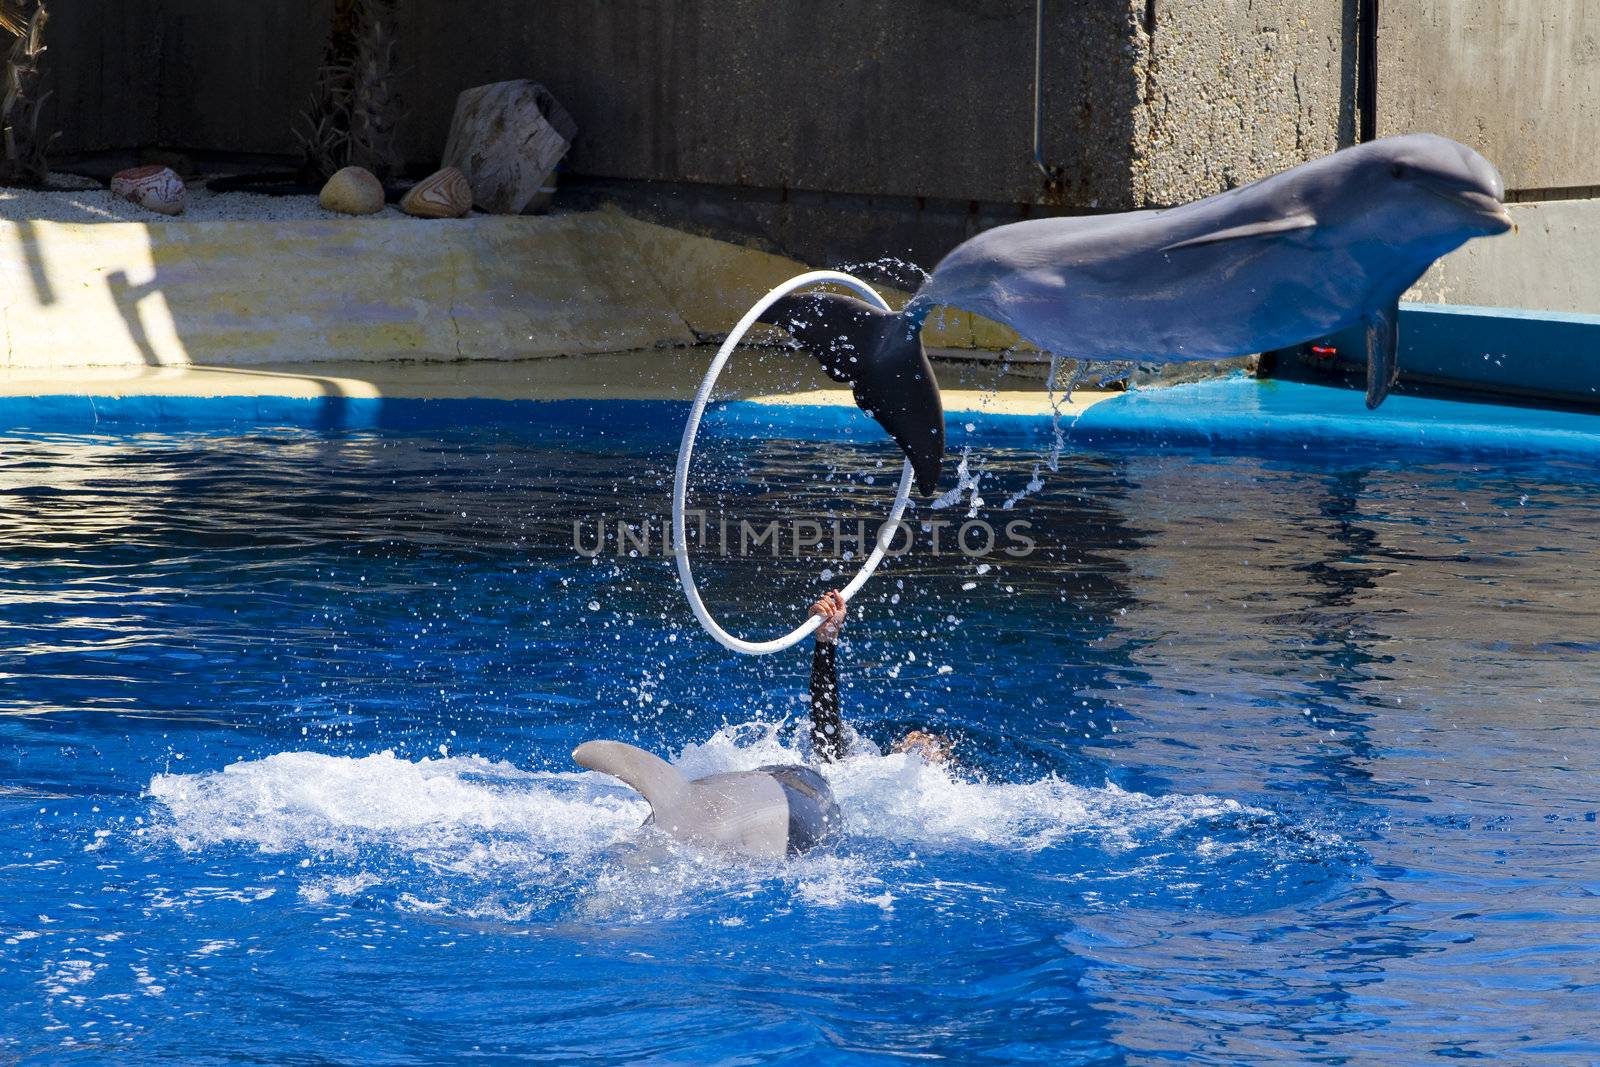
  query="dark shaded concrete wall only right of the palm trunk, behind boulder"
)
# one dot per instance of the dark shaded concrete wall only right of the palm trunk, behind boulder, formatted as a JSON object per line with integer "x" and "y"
{"x": 911, "y": 98}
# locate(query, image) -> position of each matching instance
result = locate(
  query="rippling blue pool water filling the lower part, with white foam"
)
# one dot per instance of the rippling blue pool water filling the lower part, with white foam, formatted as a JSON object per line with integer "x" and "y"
{"x": 1268, "y": 754}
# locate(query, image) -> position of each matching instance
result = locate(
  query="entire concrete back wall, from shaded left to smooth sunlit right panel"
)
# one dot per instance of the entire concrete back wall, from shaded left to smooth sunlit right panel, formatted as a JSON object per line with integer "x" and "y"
{"x": 844, "y": 130}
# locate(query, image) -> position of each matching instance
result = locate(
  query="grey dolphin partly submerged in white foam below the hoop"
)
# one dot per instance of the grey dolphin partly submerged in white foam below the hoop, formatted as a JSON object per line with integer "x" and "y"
{"x": 770, "y": 813}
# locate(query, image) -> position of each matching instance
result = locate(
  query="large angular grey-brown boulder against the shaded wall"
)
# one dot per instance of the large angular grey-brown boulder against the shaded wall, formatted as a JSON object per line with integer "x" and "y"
{"x": 508, "y": 138}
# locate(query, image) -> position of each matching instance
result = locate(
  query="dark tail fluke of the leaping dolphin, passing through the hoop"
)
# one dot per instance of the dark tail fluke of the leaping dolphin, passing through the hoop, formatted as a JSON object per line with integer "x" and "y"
{"x": 881, "y": 358}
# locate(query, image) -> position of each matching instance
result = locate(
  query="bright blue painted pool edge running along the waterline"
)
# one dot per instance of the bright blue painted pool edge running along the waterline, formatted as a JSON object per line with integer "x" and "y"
{"x": 1236, "y": 414}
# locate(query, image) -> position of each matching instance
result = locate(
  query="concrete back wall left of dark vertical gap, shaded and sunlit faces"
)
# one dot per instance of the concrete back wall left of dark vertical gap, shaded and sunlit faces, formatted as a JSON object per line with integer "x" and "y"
{"x": 900, "y": 98}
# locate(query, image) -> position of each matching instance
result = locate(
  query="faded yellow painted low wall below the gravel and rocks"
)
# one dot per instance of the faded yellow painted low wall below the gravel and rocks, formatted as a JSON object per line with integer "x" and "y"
{"x": 481, "y": 289}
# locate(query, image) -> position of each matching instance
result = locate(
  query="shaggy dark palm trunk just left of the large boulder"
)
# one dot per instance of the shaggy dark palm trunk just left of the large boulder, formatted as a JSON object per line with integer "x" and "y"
{"x": 354, "y": 111}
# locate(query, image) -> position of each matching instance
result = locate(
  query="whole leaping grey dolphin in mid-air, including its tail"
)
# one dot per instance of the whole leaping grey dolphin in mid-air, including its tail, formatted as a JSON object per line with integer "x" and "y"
{"x": 1281, "y": 262}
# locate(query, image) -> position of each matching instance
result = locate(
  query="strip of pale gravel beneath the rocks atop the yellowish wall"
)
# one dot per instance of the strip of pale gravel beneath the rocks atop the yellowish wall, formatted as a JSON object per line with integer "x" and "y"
{"x": 92, "y": 202}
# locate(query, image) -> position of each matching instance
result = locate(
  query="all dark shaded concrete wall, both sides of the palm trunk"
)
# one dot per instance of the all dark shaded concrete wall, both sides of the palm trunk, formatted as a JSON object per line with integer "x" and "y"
{"x": 919, "y": 100}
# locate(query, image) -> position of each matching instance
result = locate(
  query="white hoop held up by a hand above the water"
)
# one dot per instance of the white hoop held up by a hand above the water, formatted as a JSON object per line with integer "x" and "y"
{"x": 681, "y": 548}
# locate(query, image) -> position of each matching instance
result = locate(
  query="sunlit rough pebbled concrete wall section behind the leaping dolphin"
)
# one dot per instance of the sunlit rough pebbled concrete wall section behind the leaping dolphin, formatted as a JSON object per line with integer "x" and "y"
{"x": 1234, "y": 92}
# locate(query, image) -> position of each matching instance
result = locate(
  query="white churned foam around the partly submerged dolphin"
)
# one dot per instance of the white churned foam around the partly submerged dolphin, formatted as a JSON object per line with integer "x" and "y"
{"x": 484, "y": 839}
